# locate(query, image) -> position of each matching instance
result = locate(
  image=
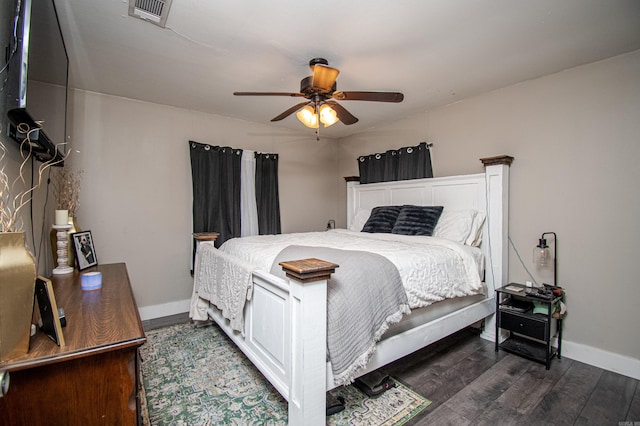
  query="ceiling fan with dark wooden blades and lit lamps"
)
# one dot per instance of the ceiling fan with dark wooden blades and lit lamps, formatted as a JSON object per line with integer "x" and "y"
{"x": 320, "y": 91}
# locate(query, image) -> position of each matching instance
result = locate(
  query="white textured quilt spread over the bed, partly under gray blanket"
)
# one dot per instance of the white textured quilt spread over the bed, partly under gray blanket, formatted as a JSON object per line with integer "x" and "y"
{"x": 431, "y": 269}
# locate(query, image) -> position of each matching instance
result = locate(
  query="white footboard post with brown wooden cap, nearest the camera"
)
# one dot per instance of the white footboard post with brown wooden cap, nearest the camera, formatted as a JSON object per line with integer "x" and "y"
{"x": 308, "y": 298}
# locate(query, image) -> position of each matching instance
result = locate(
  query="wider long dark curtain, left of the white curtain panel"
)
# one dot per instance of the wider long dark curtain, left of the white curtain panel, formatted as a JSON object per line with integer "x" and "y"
{"x": 215, "y": 175}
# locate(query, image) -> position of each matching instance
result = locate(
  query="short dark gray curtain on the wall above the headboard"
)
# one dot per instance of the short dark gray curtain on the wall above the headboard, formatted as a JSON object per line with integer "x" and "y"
{"x": 412, "y": 162}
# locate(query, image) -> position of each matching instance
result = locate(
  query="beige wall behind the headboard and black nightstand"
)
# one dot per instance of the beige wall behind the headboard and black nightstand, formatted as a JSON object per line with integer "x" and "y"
{"x": 575, "y": 139}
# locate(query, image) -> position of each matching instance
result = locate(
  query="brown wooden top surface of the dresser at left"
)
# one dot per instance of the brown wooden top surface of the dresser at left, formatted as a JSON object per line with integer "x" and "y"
{"x": 97, "y": 321}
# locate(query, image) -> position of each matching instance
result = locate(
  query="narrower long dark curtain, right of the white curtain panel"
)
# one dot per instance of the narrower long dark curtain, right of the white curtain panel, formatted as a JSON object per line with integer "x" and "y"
{"x": 267, "y": 198}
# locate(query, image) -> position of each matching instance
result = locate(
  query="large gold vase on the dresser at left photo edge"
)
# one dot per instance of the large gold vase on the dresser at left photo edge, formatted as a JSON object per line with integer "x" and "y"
{"x": 17, "y": 285}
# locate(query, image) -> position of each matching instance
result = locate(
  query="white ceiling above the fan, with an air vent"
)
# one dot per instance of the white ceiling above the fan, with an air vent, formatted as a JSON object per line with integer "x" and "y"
{"x": 433, "y": 51}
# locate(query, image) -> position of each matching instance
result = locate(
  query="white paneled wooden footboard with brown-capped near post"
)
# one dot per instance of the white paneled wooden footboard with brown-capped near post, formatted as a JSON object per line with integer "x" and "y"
{"x": 286, "y": 335}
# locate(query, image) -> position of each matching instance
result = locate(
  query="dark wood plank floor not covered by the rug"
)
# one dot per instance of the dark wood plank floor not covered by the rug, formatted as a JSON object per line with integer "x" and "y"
{"x": 470, "y": 384}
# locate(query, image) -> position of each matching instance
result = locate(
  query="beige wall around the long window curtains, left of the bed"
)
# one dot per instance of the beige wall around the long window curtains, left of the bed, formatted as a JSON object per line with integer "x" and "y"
{"x": 136, "y": 189}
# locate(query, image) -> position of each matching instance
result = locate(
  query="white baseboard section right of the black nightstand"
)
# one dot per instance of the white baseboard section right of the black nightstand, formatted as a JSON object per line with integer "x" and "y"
{"x": 606, "y": 360}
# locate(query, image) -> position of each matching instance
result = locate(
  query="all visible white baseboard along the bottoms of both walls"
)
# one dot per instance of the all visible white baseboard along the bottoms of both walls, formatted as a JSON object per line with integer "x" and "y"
{"x": 600, "y": 358}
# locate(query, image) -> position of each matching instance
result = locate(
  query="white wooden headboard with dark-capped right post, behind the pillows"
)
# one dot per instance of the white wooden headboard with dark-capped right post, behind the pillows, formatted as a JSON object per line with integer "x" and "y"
{"x": 487, "y": 192}
